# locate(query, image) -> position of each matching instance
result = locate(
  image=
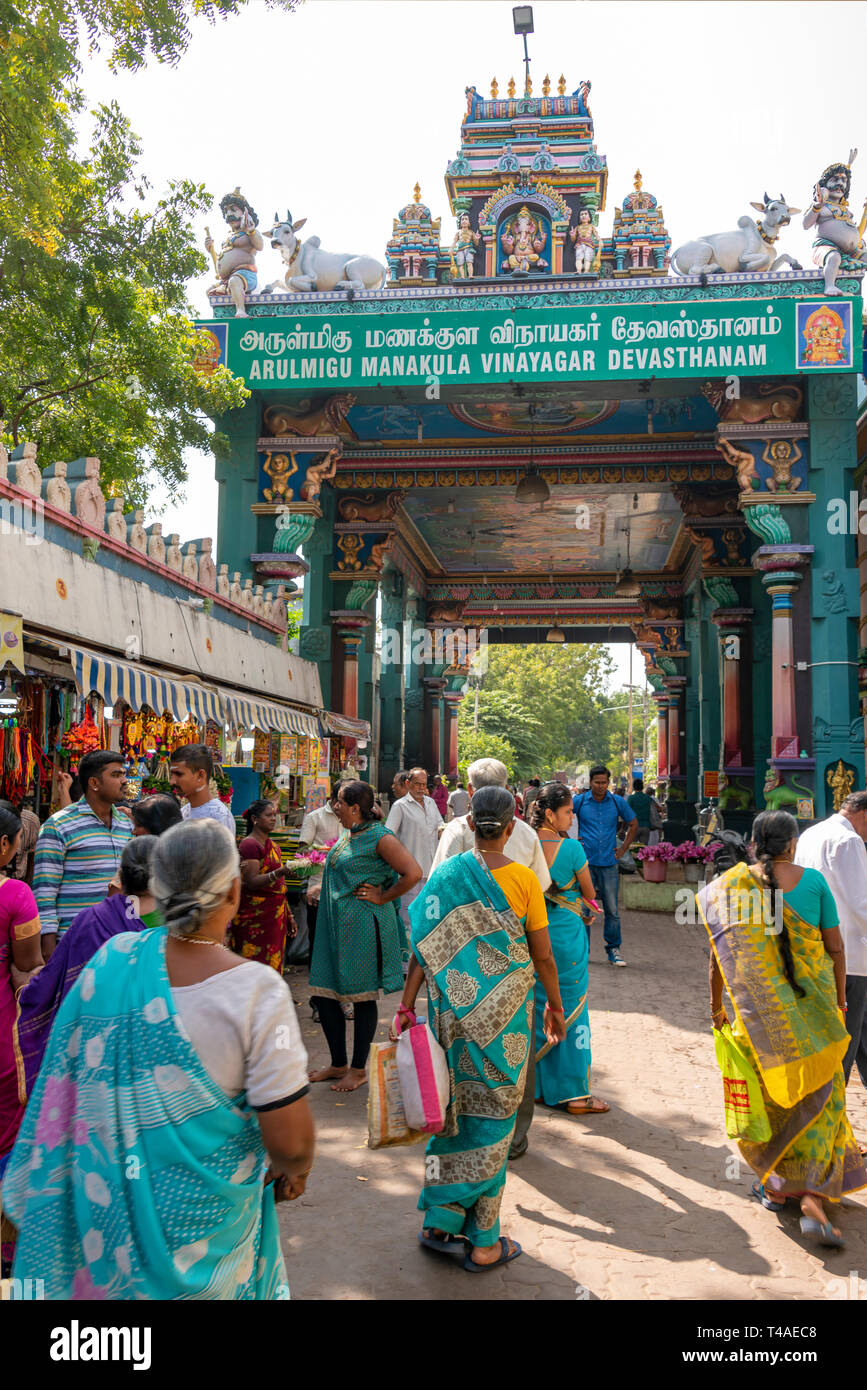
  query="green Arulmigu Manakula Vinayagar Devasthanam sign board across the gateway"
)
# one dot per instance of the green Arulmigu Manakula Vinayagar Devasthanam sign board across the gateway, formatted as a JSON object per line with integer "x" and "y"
{"x": 669, "y": 341}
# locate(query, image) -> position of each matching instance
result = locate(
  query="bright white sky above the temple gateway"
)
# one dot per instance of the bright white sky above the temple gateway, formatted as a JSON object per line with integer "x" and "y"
{"x": 336, "y": 112}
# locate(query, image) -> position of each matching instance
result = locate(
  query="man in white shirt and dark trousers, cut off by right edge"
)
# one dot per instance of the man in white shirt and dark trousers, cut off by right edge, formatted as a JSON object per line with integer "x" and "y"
{"x": 836, "y": 847}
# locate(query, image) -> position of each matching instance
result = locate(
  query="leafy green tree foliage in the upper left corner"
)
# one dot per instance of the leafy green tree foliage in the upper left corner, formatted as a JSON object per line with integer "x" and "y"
{"x": 98, "y": 341}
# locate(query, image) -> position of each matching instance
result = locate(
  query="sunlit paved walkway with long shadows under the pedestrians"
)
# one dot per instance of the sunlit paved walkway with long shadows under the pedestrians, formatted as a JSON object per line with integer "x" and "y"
{"x": 650, "y": 1202}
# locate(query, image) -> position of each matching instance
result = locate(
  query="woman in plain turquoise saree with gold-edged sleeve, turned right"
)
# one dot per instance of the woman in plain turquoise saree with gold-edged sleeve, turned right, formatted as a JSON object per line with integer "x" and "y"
{"x": 563, "y": 1075}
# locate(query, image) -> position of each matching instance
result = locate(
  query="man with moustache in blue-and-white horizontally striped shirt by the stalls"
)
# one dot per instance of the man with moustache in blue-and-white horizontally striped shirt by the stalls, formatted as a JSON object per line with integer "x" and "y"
{"x": 80, "y": 847}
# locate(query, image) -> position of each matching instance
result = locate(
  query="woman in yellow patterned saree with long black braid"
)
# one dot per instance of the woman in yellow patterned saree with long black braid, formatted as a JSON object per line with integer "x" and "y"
{"x": 779, "y": 953}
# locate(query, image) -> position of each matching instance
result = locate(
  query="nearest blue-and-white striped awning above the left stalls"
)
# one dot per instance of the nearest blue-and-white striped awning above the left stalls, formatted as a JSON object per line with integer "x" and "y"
{"x": 138, "y": 686}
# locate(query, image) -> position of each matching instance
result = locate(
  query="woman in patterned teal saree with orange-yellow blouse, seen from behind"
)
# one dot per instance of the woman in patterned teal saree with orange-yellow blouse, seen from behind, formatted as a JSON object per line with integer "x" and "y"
{"x": 479, "y": 932}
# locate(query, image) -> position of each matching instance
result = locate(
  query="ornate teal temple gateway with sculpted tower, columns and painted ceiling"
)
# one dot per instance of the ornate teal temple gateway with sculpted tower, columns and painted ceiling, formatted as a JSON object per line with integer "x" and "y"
{"x": 547, "y": 423}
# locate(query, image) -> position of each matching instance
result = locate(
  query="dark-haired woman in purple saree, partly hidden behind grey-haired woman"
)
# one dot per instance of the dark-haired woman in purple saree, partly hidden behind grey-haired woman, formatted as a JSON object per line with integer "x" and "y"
{"x": 133, "y": 910}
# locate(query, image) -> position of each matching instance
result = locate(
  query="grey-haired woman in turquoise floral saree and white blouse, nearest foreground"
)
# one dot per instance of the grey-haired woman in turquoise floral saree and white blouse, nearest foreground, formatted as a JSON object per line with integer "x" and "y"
{"x": 172, "y": 1097}
